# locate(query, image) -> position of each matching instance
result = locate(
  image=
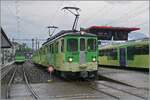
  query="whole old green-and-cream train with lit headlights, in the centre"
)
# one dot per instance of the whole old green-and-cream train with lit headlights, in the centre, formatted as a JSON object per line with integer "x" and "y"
{"x": 70, "y": 53}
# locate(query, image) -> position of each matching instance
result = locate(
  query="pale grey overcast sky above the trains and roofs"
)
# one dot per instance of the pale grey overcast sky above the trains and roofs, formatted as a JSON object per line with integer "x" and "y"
{"x": 29, "y": 19}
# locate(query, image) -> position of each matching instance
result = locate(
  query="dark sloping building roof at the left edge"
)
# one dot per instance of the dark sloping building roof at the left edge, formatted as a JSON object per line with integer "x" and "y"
{"x": 5, "y": 42}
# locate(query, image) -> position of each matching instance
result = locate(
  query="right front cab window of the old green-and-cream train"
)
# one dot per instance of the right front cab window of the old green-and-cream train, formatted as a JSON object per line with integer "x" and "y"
{"x": 91, "y": 44}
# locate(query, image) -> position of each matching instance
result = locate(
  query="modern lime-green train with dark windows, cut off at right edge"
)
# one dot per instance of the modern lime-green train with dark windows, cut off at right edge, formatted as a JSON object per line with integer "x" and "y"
{"x": 132, "y": 54}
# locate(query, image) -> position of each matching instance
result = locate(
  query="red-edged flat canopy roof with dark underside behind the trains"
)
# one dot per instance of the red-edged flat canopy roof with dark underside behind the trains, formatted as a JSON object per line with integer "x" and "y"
{"x": 109, "y": 32}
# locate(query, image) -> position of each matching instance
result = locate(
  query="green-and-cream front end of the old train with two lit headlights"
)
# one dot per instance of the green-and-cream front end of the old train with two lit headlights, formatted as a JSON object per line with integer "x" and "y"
{"x": 81, "y": 56}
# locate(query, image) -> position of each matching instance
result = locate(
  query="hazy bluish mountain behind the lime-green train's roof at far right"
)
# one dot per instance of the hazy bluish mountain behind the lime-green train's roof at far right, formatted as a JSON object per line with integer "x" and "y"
{"x": 136, "y": 35}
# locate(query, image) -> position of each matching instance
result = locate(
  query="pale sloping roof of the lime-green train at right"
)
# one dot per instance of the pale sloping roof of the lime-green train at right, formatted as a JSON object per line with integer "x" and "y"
{"x": 128, "y": 43}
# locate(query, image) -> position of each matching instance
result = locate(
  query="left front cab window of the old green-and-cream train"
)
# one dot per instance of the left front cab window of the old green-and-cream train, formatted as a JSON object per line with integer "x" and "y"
{"x": 72, "y": 45}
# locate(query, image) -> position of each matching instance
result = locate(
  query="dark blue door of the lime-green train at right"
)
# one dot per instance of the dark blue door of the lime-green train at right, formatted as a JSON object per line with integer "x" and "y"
{"x": 122, "y": 53}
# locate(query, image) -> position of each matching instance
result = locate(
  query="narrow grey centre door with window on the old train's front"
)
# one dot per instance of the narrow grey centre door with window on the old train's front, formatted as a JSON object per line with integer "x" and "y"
{"x": 82, "y": 50}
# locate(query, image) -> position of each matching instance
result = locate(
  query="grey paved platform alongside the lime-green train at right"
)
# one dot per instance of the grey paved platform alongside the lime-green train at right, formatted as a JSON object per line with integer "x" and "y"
{"x": 133, "y": 78}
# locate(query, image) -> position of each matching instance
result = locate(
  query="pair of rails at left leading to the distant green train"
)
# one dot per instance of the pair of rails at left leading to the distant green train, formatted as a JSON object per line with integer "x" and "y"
{"x": 25, "y": 82}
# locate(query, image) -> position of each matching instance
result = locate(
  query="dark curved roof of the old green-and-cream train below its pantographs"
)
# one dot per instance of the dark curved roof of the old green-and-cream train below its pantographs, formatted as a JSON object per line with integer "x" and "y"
{"x": 68, "y": 32}
